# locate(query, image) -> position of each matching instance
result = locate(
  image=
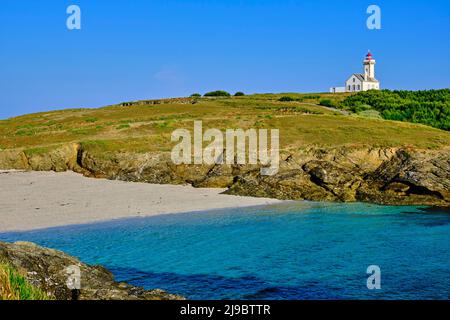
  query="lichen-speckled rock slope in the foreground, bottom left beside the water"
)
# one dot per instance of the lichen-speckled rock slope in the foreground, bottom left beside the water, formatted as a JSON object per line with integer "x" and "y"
{"x": 51, "y": 271}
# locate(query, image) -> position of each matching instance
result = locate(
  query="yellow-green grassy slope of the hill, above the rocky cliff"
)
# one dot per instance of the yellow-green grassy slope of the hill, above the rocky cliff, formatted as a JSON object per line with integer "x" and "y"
{"x": 147, "y": 125}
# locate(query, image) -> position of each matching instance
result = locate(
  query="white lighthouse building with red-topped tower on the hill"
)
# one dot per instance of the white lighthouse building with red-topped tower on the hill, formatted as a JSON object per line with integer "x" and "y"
{"x": 361, "y": 82}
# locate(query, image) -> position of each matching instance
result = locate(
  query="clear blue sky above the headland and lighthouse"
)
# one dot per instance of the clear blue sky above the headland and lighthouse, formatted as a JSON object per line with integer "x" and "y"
{"x": 128, "y": 50}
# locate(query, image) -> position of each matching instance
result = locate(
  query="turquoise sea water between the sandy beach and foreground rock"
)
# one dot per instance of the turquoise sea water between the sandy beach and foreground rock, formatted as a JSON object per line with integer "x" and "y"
{"x": 298, "y": 250}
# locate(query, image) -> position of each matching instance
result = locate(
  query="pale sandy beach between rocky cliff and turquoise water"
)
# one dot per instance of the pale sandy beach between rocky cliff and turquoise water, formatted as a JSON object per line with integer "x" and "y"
{"x": 35, "y": 200}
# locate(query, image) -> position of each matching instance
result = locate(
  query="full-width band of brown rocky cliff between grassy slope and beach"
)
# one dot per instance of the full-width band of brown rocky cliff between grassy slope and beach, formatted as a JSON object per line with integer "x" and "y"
{"x": 379, "y": 175}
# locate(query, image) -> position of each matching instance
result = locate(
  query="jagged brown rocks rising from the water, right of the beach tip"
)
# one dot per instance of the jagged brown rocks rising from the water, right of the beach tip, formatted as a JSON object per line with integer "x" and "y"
{"x": 387, "y": 176}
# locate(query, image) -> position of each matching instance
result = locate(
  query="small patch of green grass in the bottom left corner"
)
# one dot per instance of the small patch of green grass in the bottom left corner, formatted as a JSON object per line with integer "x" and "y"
{"x": 14, "y": 286}
